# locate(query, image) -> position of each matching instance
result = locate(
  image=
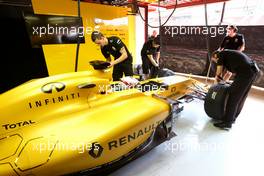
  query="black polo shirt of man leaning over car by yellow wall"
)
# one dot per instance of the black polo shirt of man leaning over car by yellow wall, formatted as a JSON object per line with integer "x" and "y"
{"x": 113, "y": 48}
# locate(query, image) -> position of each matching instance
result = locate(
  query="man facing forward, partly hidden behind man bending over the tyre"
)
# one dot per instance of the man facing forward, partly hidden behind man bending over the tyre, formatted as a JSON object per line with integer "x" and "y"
{"x": 232, "y": 41}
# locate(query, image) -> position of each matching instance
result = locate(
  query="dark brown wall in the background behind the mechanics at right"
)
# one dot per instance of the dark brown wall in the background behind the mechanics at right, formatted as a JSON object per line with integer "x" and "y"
{"x": 188, "y": 53}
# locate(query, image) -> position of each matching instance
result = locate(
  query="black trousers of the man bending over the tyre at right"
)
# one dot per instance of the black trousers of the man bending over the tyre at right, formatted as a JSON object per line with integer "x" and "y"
{"x": 238, "y": 93}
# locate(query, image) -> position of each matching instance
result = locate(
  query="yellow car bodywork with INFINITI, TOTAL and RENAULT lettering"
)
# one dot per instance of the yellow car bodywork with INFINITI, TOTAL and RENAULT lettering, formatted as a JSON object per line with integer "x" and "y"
{"x": 53, "y": 126}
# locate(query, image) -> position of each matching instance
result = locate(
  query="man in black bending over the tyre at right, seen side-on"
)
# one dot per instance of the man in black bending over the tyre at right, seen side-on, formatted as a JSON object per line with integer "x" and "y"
{"x": 246, "y": 71}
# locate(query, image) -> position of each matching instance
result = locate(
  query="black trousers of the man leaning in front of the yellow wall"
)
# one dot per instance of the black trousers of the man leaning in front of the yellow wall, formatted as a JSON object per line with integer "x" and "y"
{"x": 121, "y": 69}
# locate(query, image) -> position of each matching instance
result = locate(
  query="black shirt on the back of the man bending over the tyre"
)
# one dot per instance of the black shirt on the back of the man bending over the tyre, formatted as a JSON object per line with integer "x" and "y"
{"x": 235, "y": 61}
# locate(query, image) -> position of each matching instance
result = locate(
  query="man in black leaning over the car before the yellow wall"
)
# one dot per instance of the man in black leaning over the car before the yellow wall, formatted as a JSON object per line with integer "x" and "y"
{"x": 122, "y": 62}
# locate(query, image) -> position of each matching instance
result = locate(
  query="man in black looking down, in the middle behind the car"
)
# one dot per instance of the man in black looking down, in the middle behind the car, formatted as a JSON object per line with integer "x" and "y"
{"x": 150, "y": 54}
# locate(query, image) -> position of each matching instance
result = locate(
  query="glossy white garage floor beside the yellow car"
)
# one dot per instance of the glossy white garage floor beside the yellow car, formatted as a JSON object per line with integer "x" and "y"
{"x": 201, "y": 149}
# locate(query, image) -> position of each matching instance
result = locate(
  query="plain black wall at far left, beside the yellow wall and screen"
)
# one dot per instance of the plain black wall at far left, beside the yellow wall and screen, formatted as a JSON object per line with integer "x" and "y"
{"x": 19, "y": 61}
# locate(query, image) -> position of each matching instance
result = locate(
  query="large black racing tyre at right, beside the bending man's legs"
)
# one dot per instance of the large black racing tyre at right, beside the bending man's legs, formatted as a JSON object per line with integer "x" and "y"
{"x": 215, "y": 100}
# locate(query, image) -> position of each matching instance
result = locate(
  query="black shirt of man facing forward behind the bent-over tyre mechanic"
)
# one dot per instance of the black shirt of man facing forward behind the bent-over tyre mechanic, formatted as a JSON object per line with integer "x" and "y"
{"x": 233, "y": 42}
